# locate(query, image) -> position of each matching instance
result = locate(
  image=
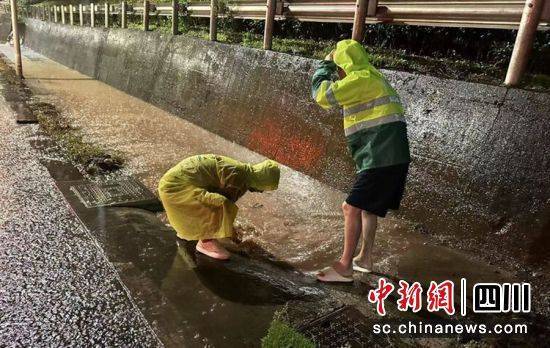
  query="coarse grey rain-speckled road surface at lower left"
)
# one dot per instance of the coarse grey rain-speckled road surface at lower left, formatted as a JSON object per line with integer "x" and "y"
{"x": 56, "y": 286}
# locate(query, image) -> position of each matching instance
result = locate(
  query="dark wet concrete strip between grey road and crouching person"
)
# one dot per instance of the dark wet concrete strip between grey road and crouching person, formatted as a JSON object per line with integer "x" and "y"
{"x": 190, "y": 299}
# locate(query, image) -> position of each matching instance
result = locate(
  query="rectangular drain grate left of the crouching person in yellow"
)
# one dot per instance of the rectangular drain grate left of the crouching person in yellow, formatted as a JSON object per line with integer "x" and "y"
{"x": 111, "y": 193}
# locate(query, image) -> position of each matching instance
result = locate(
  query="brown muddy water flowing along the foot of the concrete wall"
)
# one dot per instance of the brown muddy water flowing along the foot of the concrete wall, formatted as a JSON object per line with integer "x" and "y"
{"x": 301, "y": 223}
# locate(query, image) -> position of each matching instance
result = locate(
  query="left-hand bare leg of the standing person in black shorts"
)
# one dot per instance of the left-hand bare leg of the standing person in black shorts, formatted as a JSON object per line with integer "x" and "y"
{"x": 352, "y": 231}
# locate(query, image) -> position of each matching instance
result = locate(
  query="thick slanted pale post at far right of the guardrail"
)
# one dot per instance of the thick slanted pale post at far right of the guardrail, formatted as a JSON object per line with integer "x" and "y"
{"x": 524, "y": 41}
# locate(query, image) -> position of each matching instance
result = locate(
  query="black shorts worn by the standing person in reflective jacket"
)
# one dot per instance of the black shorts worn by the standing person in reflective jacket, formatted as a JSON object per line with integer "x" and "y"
{"x": 378, "y": 190}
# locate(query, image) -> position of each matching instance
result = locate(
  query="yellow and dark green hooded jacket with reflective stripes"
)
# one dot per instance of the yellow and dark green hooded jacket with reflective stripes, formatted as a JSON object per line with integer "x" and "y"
{"x": 373, "y": 116}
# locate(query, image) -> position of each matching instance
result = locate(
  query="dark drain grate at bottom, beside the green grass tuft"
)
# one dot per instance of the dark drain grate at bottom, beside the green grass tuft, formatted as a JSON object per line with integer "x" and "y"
{"x": 343, "y": 327}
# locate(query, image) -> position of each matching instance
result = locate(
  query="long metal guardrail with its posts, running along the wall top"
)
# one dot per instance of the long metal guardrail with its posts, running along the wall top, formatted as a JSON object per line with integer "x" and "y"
{"x": 526, "y": 15}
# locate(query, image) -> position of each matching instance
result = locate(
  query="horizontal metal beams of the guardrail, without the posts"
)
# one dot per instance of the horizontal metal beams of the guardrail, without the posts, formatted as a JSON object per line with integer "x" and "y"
{"x": 504, "y": 14}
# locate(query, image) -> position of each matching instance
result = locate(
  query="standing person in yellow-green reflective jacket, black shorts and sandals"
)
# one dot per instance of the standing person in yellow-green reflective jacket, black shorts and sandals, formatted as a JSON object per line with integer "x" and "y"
{"x": 376, "y": 134}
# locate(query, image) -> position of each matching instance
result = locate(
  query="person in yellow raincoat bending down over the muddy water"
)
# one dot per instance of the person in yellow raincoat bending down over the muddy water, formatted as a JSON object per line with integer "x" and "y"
{"x": 200, "y": 192}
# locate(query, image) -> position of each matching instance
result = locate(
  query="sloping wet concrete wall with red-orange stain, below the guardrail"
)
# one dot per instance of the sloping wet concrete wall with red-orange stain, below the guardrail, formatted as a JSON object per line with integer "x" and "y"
{"x": 479, "y": 150}
